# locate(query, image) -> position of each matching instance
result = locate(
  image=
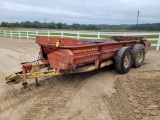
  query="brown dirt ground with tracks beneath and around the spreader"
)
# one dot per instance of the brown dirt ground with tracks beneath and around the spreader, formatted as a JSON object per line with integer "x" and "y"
{"x": 98, "y": 95}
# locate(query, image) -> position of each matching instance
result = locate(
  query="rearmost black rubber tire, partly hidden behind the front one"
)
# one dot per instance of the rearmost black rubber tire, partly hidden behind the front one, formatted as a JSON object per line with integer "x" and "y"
{"x": 136, "y": 49}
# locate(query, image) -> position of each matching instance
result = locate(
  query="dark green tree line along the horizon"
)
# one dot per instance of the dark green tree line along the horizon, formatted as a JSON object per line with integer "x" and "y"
{"x": 75, "y": 26}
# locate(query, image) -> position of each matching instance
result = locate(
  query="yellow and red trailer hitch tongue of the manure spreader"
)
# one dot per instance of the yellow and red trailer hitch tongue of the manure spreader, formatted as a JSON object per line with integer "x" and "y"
{"x": 29, "y": 71}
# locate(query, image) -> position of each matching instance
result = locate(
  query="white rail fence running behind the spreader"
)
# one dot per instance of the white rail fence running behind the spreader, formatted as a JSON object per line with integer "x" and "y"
{"x": 154, "y": 38}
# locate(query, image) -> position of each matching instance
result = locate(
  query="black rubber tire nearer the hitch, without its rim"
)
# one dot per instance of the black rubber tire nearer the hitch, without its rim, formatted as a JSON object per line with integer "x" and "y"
{"x": 120, "y": 58}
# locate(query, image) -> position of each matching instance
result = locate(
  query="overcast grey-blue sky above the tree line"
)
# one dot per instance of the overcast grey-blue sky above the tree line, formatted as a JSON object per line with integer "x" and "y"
{"x": 81, "y": 11}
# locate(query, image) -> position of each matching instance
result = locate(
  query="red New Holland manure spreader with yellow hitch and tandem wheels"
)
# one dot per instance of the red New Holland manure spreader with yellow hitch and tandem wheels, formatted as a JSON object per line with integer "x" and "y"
{"x": 60, "y": 56}
